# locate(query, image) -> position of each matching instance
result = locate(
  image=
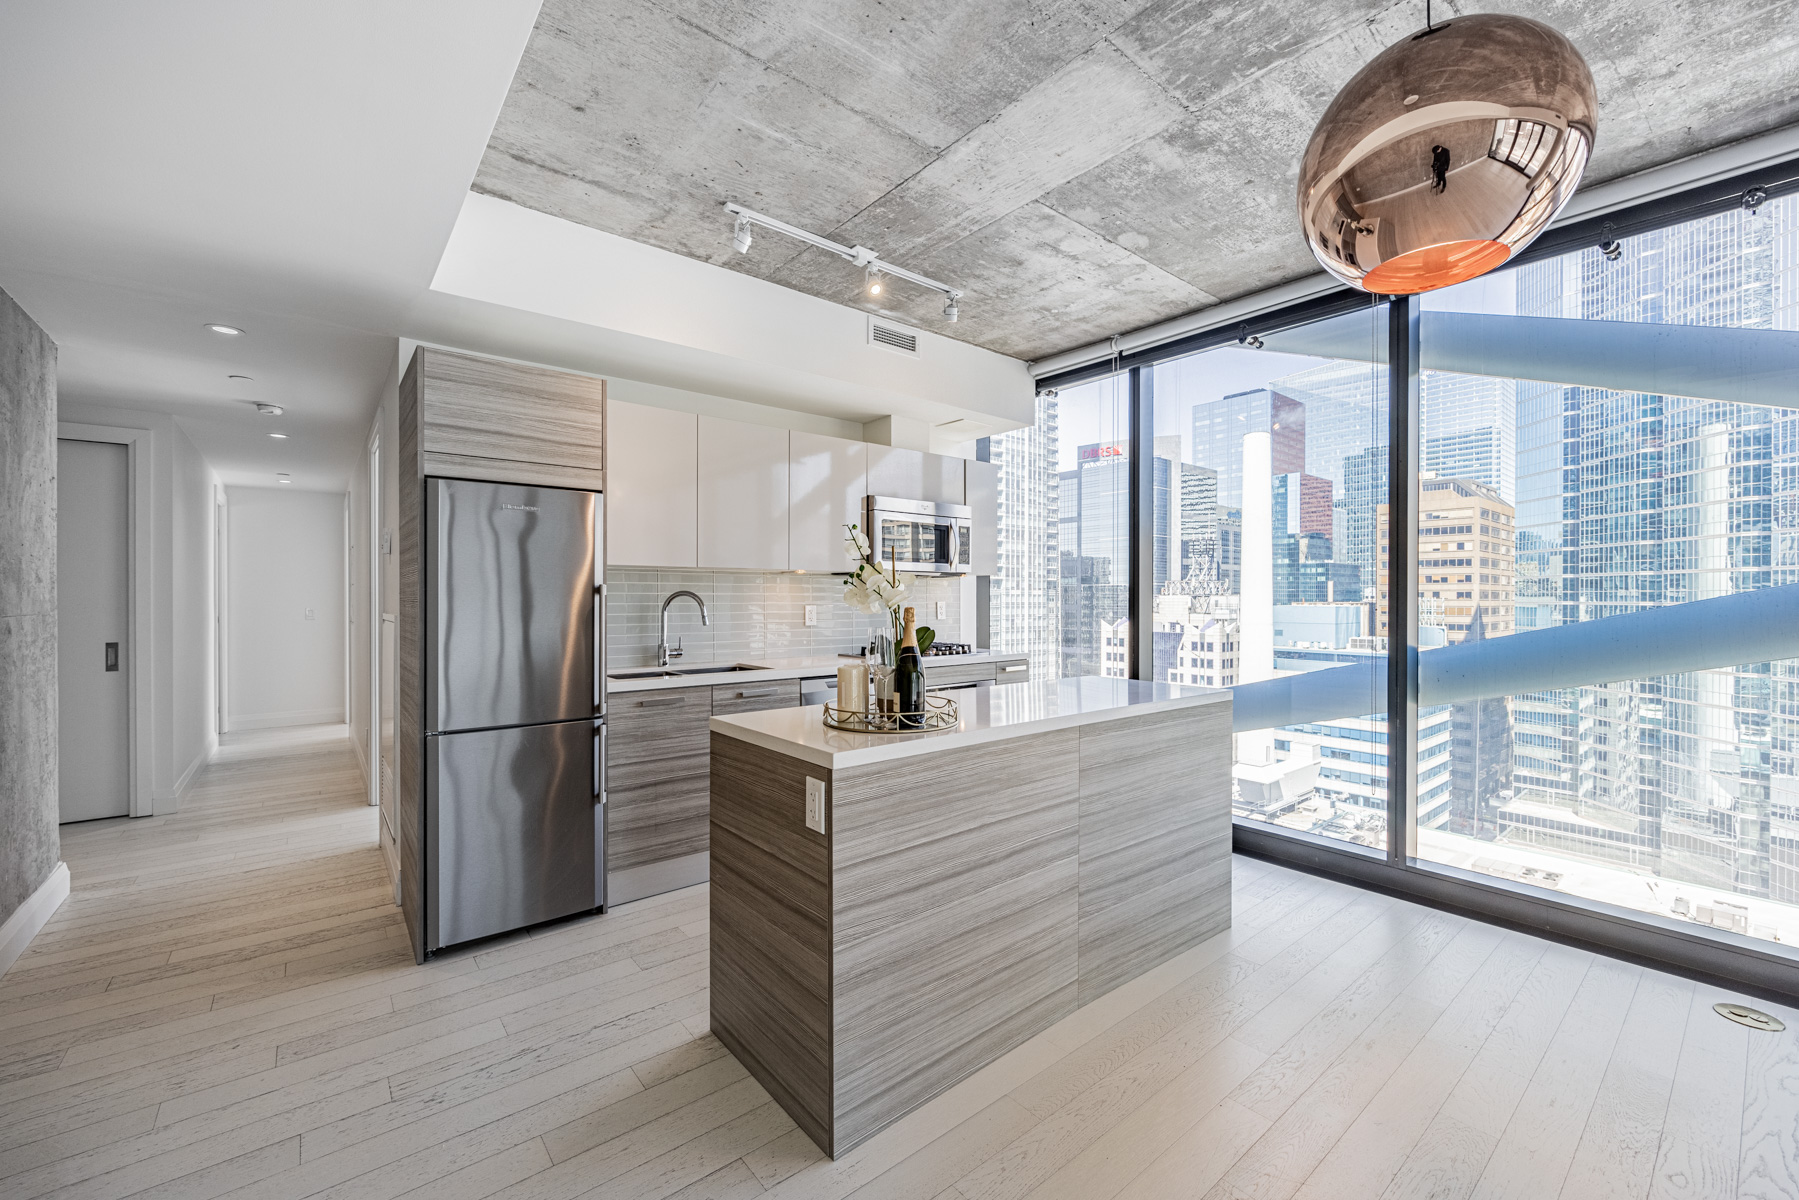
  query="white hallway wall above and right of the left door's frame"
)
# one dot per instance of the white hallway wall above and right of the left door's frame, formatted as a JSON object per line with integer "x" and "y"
{"x": 181, "y": 605}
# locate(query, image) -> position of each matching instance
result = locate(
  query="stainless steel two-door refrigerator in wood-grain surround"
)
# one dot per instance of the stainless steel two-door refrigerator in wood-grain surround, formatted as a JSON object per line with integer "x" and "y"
{"x": 515, "y": 722}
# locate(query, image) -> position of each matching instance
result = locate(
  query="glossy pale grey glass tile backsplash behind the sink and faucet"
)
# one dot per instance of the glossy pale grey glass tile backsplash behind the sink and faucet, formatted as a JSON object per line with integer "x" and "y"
{"x": 755, "y": 616}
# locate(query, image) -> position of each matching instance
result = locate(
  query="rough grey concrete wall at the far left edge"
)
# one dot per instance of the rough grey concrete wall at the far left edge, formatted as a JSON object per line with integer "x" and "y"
{"x": 30, "y": 845}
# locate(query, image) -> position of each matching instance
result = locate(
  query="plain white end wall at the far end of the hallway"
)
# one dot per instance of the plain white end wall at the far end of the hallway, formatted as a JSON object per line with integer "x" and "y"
{"x": 285, "y": 557}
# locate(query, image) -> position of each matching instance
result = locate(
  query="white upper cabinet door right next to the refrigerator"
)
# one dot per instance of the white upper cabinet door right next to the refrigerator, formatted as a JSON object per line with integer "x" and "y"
{"x": 652, "y": 487}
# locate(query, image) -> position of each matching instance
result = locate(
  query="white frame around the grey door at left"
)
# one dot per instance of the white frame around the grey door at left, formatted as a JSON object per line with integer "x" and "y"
{"x": 139, "y": 591}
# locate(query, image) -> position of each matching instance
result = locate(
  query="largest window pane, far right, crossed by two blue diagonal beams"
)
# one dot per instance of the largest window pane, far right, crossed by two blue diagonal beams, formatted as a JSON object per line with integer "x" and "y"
{"x": 1609, "y": 541}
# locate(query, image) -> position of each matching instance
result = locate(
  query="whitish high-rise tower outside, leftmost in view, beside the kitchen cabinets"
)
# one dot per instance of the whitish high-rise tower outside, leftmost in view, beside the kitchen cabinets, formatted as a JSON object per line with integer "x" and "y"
{"x": 1026, "y": 593}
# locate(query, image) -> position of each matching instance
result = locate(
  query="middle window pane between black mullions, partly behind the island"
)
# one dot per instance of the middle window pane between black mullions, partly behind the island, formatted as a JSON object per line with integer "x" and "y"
{"x": 1269, "y": 474}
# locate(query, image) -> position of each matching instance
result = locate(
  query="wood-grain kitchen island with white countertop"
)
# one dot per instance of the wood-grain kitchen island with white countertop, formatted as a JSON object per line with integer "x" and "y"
{"x": 969, "y": 886}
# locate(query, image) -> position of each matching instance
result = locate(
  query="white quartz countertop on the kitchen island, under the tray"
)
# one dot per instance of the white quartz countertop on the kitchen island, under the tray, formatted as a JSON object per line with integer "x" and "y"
{"x": 987, "y": 715}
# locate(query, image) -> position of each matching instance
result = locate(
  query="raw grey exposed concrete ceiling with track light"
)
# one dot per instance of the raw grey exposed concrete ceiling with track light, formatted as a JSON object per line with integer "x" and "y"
{"x": 1077, "y": 168}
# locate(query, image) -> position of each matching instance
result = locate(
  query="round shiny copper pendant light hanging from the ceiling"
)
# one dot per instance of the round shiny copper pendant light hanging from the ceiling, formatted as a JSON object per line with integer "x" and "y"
{"x": 1447, "y": 154}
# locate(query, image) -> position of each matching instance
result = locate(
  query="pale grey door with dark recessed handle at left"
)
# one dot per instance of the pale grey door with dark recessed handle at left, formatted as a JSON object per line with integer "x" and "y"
{"x": 94, "y": 627}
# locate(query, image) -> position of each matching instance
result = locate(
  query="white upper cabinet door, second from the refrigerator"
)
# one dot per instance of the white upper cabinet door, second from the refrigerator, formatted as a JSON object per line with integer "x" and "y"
{"x": 744, "y": 496}
